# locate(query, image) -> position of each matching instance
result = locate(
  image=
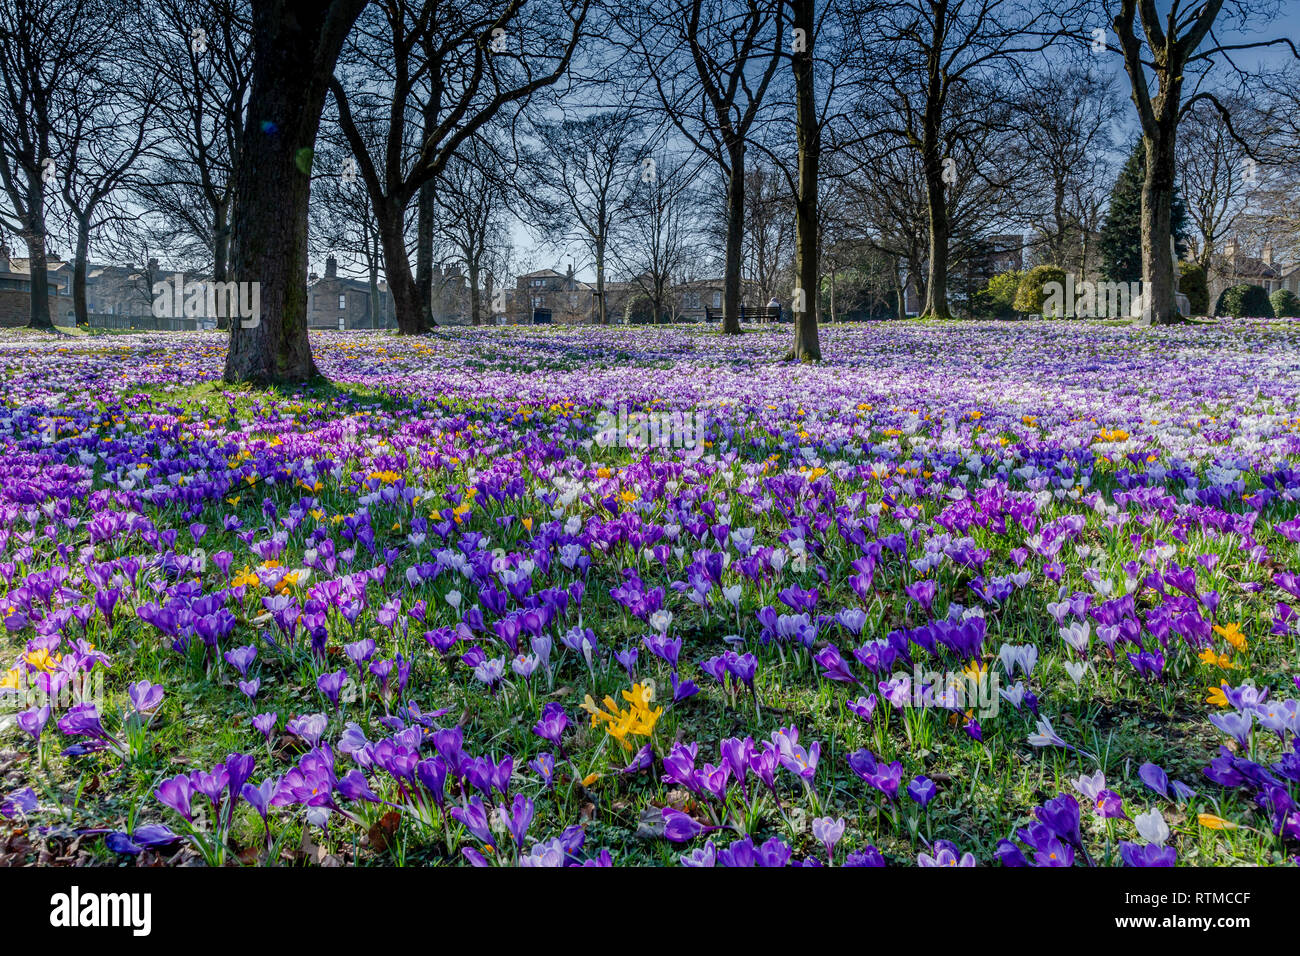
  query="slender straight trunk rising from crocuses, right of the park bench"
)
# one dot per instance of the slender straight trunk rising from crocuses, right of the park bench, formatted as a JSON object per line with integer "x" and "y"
{"x": 808, "y": 347}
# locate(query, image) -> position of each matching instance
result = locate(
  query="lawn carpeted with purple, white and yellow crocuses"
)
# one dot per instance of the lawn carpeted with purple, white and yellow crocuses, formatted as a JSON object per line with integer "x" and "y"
{"x": 961, "y": 595}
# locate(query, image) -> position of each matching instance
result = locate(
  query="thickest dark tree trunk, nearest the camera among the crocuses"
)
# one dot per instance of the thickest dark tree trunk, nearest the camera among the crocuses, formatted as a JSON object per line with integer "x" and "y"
{"x": 296, "y": 45}
